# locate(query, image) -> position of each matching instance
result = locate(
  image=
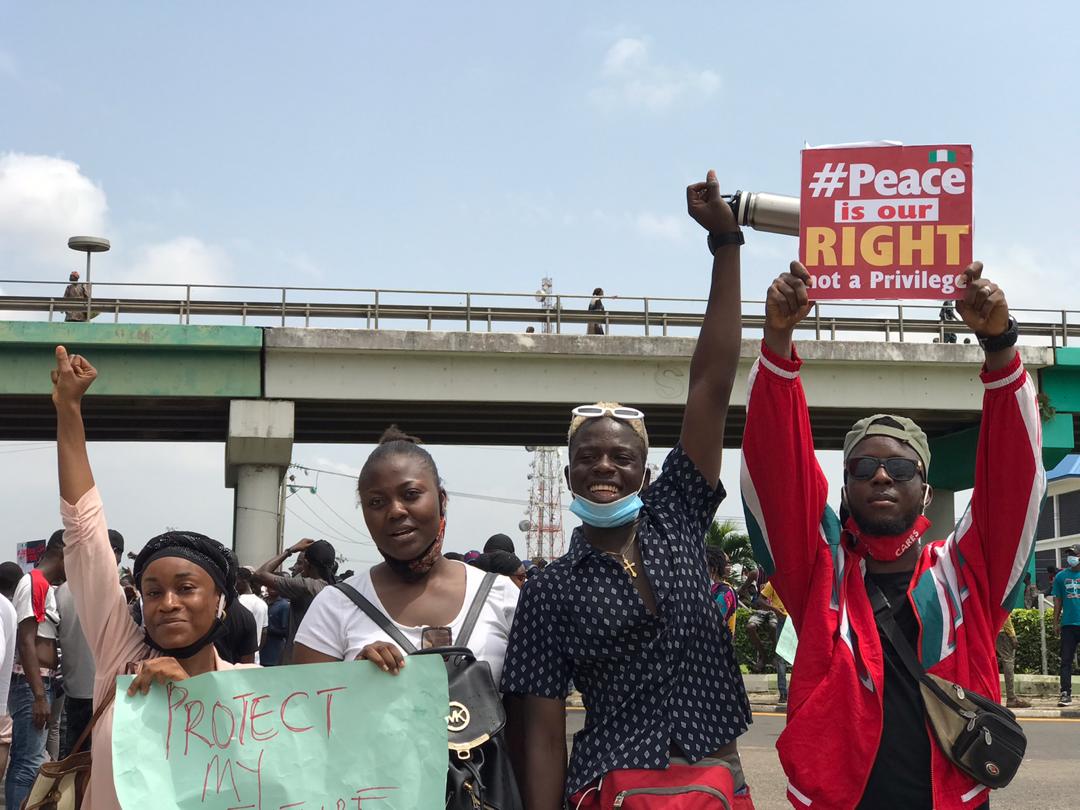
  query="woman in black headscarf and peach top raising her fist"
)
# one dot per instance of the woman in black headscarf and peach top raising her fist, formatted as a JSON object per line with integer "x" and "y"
{"x": 187, "y": 583}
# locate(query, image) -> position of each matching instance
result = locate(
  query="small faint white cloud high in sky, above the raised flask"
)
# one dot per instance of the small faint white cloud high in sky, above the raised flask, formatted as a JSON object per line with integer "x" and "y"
{"x": 633, "y": 79}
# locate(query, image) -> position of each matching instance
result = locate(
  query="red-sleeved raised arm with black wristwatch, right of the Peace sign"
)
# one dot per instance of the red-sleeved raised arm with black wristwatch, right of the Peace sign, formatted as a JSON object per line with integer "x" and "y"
{"x": 996, "y": 537}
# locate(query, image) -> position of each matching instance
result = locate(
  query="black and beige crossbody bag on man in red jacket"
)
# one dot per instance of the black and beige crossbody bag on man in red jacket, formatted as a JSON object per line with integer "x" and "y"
{"x": 979, "y": 736}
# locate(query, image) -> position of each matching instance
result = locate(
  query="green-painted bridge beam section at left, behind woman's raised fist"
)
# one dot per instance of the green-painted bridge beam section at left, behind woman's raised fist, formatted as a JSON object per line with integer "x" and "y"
{"x": 145, "y": 360}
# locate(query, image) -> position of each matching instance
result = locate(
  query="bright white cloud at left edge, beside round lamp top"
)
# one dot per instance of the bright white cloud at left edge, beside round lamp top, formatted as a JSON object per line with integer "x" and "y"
{"x": 44, "y": 200}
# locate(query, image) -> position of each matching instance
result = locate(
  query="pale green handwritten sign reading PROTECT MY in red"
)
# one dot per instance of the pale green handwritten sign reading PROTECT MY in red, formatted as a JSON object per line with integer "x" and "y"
{"x": 317, "y": 737}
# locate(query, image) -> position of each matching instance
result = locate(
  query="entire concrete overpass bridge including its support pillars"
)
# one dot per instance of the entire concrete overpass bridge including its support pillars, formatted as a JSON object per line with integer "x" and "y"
{"x": 261, "y": 389}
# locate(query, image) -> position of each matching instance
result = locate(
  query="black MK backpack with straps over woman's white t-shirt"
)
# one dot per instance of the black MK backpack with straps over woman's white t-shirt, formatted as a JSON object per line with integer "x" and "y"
{"x": 480, "y": 776}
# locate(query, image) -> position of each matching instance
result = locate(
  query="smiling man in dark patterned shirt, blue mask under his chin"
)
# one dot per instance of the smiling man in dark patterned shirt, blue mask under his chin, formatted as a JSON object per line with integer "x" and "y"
{"x": 626, "y": 614}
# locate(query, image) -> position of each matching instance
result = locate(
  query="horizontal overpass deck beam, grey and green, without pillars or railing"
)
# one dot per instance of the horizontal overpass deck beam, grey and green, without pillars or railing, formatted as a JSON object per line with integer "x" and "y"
{"x": 173, "y": 383}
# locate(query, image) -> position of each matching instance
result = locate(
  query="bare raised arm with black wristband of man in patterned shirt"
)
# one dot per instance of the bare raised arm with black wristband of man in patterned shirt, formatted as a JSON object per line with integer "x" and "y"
{"x": 717, "y": 356}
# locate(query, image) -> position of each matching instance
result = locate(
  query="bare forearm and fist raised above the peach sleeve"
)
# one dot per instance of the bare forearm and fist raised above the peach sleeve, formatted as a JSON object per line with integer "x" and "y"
{"x": 72, "y": 379}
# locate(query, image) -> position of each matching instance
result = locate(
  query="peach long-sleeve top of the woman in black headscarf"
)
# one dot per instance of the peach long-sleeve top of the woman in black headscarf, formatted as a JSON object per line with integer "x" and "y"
{"x": 114, "y": 638}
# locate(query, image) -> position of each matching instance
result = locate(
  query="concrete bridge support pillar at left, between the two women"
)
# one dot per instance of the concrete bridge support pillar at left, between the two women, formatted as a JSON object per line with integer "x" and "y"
{"x": 258, "y": 453}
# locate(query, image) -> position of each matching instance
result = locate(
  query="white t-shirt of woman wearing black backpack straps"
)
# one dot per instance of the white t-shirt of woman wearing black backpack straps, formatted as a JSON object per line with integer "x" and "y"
{"x": 335, "y": 627}
